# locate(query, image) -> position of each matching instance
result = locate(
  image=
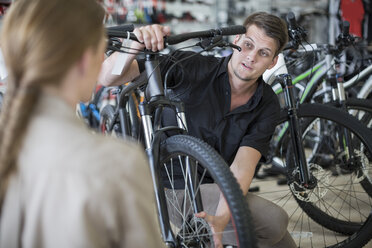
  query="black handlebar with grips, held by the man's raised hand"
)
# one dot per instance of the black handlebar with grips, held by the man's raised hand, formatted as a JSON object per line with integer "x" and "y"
{"x": 178, "y": 38}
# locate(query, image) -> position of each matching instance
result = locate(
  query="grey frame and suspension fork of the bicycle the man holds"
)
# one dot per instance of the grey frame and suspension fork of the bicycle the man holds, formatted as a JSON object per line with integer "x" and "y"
{"x": 150, "y": 111}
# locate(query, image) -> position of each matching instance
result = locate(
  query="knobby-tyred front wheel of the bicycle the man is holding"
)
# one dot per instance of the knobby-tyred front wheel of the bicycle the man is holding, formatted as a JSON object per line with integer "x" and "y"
{"x": 206, "y": 160}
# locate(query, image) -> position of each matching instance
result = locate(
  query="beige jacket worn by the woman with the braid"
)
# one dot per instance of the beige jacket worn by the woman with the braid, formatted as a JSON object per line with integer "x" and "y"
{"x": 78, "y": 189}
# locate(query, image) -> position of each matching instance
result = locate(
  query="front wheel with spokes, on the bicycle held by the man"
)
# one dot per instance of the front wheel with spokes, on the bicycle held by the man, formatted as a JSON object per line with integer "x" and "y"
{"x": 195, "y": 177}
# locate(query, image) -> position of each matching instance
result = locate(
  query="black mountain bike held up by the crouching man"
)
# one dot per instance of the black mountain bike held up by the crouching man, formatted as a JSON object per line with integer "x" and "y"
{"x": 180, "y": 164}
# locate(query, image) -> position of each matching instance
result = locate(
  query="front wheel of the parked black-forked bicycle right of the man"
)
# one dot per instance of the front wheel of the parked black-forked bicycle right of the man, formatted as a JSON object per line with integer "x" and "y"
{"x": 339, "y": 199}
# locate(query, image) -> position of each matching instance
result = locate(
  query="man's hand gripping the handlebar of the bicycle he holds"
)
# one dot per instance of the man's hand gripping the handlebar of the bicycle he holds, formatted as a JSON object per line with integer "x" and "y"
{"x": 152, "y": 37}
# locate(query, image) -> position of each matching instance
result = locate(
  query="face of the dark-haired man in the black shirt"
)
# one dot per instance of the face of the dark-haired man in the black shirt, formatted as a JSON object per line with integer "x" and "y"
{"x": 256, "y": 56}
